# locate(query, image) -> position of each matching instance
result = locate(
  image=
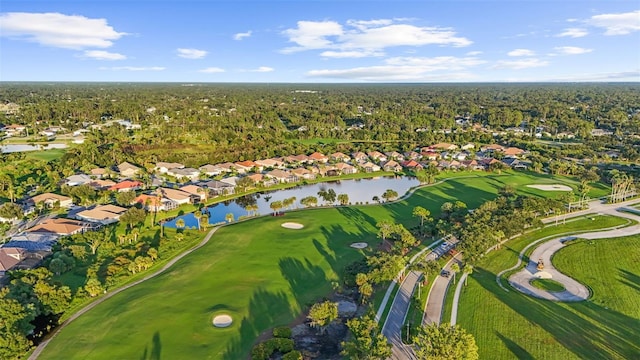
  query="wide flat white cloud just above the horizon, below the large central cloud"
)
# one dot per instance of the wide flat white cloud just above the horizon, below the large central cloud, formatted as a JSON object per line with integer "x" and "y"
{"x": 412, "y": 69}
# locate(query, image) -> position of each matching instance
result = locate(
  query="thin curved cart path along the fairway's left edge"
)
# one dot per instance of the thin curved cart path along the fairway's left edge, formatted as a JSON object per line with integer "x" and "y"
{"x": 168, "y": 265}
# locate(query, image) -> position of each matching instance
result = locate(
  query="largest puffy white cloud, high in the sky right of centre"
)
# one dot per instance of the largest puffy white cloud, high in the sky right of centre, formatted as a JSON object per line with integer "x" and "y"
{"x": 358, "y": 38}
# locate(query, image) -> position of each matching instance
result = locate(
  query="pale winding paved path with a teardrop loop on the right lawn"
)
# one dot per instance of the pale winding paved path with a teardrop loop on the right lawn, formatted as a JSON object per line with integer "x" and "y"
{"x": 574, "y": 290}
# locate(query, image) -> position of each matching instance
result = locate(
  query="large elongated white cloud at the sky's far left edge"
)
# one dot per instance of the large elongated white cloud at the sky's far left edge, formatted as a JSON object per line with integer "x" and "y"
{"x": 59, "y": 30}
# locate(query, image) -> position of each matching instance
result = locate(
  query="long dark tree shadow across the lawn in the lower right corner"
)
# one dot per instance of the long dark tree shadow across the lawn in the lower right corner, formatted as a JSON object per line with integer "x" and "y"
{"x": 584, "y": 328}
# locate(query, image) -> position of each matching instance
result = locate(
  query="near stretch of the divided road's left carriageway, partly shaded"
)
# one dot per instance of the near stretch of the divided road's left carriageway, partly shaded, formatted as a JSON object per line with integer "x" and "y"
{"x": 392, "y": 327}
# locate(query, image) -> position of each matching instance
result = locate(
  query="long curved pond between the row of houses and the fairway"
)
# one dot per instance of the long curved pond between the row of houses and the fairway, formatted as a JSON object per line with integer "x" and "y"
{"x": 360, "y": 190}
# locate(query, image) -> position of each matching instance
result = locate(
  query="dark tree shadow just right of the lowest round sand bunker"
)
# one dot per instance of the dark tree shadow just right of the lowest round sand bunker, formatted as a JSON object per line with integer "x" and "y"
{"x": 266, "y": 309}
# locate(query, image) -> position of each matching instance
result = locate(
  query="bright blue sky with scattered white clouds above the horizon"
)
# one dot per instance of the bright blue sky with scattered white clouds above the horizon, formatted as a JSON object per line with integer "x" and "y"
{"x": 320, "y": 41}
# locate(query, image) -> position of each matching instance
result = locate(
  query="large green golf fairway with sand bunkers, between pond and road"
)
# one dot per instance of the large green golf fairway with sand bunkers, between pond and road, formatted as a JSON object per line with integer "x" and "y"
{"x": 258, "y": 272}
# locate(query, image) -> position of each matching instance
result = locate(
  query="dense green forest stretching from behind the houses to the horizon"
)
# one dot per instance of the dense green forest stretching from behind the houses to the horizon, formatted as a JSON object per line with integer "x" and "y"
{"x": 208, "y": 123}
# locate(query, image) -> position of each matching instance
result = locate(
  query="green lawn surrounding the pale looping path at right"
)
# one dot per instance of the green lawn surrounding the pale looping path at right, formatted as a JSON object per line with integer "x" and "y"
{"x": 510, "y": 325}
